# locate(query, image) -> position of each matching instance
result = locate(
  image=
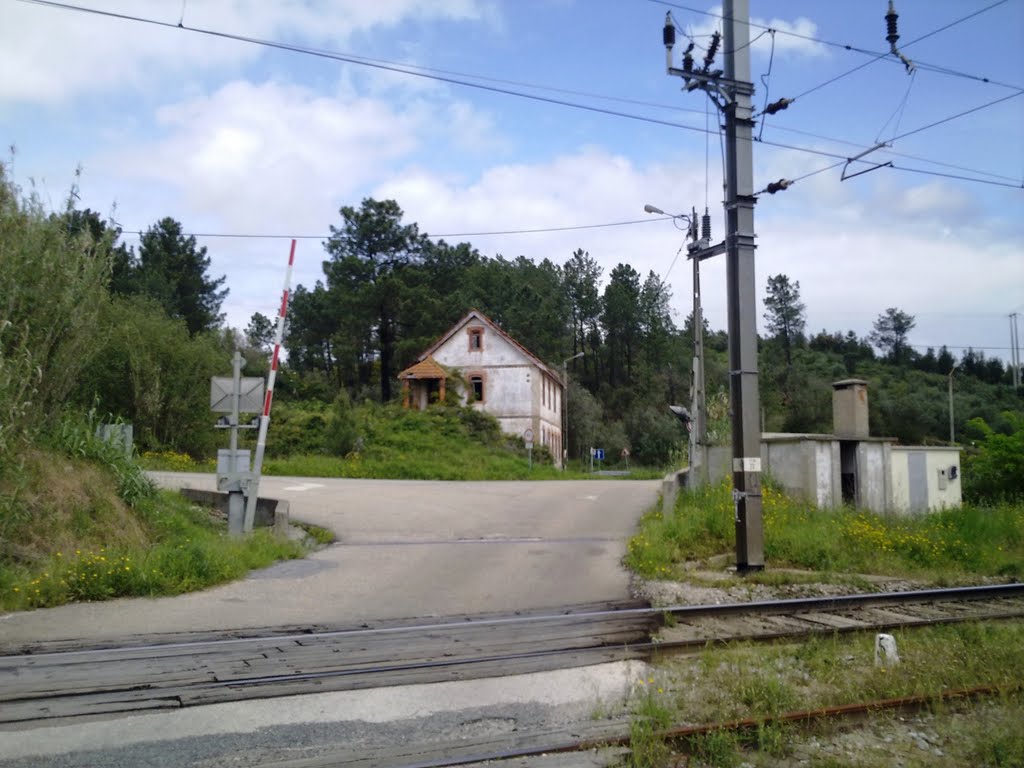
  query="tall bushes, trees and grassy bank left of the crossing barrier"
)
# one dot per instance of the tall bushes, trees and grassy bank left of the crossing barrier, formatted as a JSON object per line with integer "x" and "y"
{"x": 79, "y": 520}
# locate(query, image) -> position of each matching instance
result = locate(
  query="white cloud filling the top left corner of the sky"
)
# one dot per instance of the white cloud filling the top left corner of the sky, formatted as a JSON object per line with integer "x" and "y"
{"x": 58, "y": 55}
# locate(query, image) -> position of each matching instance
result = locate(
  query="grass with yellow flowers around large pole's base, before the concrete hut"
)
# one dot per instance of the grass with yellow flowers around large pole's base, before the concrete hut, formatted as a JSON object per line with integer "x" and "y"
{"x": 947, "y": 546}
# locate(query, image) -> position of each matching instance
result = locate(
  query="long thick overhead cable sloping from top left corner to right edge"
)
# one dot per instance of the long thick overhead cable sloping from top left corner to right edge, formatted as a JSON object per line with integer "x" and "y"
{"x": 456, "y": 81}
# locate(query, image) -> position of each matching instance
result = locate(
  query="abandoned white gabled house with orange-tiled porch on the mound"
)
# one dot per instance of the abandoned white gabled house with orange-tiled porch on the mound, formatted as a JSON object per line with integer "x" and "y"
{"x": 501, "y": 376}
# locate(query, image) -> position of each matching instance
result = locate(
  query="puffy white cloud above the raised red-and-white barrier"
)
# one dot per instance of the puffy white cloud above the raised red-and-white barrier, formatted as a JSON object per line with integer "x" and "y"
{"x": 258, "y": 154}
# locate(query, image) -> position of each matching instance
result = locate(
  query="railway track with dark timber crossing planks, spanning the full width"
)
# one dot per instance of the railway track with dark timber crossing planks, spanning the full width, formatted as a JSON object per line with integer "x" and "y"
{"x": 48, "y": 684}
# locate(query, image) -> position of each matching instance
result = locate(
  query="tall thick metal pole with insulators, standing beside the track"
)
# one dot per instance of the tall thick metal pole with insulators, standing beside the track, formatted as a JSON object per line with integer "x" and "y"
{"x": 732, "y": 92}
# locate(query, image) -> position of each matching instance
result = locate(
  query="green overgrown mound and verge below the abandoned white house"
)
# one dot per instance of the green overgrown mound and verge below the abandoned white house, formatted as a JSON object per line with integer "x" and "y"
{"x": 441, "y": 444}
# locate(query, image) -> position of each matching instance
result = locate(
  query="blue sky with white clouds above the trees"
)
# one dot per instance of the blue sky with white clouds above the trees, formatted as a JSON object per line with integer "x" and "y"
{"x": 176, "y": 116}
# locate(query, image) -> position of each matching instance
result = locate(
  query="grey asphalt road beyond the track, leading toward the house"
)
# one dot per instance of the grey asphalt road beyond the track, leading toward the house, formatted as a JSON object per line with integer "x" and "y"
{"x": 406, "y": 549}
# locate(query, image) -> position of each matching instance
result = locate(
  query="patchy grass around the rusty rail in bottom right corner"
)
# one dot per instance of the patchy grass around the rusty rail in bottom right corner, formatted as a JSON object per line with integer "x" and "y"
{"x": 757, "y": 682}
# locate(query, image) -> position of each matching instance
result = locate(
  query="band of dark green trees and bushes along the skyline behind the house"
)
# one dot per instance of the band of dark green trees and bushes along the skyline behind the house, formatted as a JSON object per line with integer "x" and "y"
{"x": 138, "y": 332}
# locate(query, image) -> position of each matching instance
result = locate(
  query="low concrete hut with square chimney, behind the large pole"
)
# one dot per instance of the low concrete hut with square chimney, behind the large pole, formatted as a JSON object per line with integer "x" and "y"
{"x": 851, "y": 467}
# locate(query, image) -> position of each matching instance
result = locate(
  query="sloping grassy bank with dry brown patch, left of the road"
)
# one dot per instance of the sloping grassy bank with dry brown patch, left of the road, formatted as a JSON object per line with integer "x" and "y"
{"x": 80, "y": 522}
